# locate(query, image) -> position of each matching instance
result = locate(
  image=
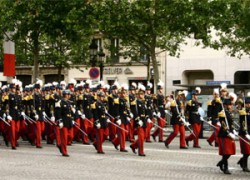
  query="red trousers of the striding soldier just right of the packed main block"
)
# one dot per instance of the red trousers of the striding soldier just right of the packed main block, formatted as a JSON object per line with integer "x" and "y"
{"x": 178, "y": 128}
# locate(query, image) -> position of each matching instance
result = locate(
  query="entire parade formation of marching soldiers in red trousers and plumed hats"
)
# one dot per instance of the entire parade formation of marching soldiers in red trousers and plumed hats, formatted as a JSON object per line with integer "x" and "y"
{"x": 63, "y": 113}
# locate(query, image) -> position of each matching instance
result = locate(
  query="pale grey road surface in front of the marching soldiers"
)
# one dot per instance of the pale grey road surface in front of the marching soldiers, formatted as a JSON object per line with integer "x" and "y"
{"x": 28, "y": 162}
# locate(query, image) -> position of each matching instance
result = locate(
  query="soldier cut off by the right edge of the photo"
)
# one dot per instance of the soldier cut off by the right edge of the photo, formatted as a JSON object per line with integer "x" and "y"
{"x": 244, "y": 134}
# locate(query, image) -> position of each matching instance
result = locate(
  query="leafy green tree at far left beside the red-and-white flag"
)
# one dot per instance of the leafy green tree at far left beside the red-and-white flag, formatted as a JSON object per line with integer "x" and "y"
{"x": 41, "y": 25}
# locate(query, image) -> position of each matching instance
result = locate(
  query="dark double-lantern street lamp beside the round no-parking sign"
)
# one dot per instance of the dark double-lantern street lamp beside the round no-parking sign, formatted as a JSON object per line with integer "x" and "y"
{"x": 93, "y": 57}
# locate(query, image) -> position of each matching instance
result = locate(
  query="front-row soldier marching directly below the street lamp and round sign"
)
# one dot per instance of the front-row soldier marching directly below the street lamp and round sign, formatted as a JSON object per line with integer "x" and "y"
{"x": 101, "y": 122}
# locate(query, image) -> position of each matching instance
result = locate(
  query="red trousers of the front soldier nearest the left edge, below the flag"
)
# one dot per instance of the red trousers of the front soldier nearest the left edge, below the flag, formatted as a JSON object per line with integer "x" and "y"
{"x": 13, "y": 132}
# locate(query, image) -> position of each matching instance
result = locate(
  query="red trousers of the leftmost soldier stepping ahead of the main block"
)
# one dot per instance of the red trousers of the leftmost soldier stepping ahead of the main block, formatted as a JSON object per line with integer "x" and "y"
{"x": 66, "y": 136}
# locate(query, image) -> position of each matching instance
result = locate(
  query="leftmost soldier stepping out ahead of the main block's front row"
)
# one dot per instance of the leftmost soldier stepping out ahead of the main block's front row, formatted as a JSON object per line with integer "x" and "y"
{"x": 65, "y": 122}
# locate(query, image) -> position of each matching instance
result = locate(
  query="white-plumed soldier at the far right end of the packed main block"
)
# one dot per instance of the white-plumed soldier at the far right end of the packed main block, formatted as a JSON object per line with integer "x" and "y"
{"x": 161, "y": 115}
